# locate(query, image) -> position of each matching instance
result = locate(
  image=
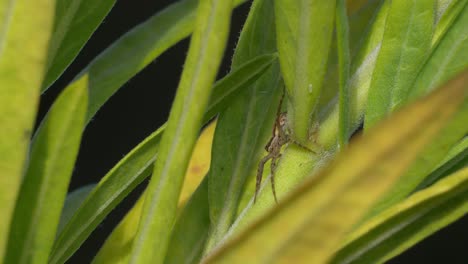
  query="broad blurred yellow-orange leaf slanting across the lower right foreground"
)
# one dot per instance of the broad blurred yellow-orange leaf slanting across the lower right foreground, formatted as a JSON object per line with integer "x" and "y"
{"x": 309, "y": 223}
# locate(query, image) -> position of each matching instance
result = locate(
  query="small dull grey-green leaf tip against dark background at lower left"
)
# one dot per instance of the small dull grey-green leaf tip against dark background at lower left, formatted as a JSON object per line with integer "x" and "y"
{"x": 72, "y": 203}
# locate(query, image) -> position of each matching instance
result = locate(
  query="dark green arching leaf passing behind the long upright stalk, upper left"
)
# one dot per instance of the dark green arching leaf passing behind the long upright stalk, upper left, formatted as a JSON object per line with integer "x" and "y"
{"x": 106, "y": 73}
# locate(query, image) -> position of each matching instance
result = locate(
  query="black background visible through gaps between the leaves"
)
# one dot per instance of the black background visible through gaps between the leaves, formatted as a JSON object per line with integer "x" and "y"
{"x": 143, "y": 104}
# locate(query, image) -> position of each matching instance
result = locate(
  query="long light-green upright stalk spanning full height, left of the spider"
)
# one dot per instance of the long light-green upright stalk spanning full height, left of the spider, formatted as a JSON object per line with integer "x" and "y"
{"x": 205, "y": 53}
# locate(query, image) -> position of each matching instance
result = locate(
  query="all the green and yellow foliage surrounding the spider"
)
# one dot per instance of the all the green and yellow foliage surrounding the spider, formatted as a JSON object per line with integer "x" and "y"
{"x": 345, "y": 194}
